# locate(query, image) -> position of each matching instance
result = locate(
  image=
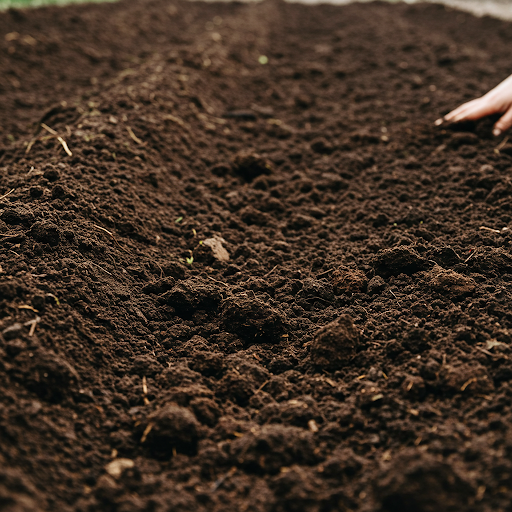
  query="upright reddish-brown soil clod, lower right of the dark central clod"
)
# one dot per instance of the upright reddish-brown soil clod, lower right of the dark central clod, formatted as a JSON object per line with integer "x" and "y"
{"x": 335, "y": 343}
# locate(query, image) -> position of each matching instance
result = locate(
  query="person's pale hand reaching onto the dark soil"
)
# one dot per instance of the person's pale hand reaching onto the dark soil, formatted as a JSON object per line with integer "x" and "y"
{"x": 496, "y": 101}
